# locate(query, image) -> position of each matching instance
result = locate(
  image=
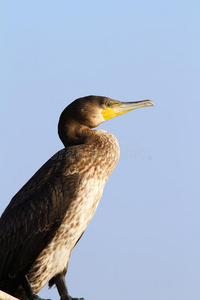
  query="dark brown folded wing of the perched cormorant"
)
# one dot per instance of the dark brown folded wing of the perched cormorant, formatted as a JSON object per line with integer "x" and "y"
{"x": 32, "y": 217}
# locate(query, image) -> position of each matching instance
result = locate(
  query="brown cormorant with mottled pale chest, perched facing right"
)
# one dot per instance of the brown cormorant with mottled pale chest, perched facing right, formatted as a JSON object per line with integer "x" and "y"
{"x": 47, "y": 217}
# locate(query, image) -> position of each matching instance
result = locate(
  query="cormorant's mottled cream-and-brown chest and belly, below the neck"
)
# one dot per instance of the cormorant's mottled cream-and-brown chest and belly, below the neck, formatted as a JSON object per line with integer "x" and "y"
{"x": 95, "y": 170}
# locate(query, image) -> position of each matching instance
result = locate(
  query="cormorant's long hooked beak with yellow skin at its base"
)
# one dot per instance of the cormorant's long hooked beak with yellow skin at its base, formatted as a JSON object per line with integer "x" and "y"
{"x": 122, "y": 107}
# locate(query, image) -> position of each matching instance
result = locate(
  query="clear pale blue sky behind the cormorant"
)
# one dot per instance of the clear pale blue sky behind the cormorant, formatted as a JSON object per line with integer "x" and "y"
{"x": 144, "y": 241}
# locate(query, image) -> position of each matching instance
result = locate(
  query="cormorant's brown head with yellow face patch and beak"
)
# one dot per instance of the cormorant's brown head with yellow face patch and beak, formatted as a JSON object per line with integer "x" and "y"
{"x": 91, "y": 111}
